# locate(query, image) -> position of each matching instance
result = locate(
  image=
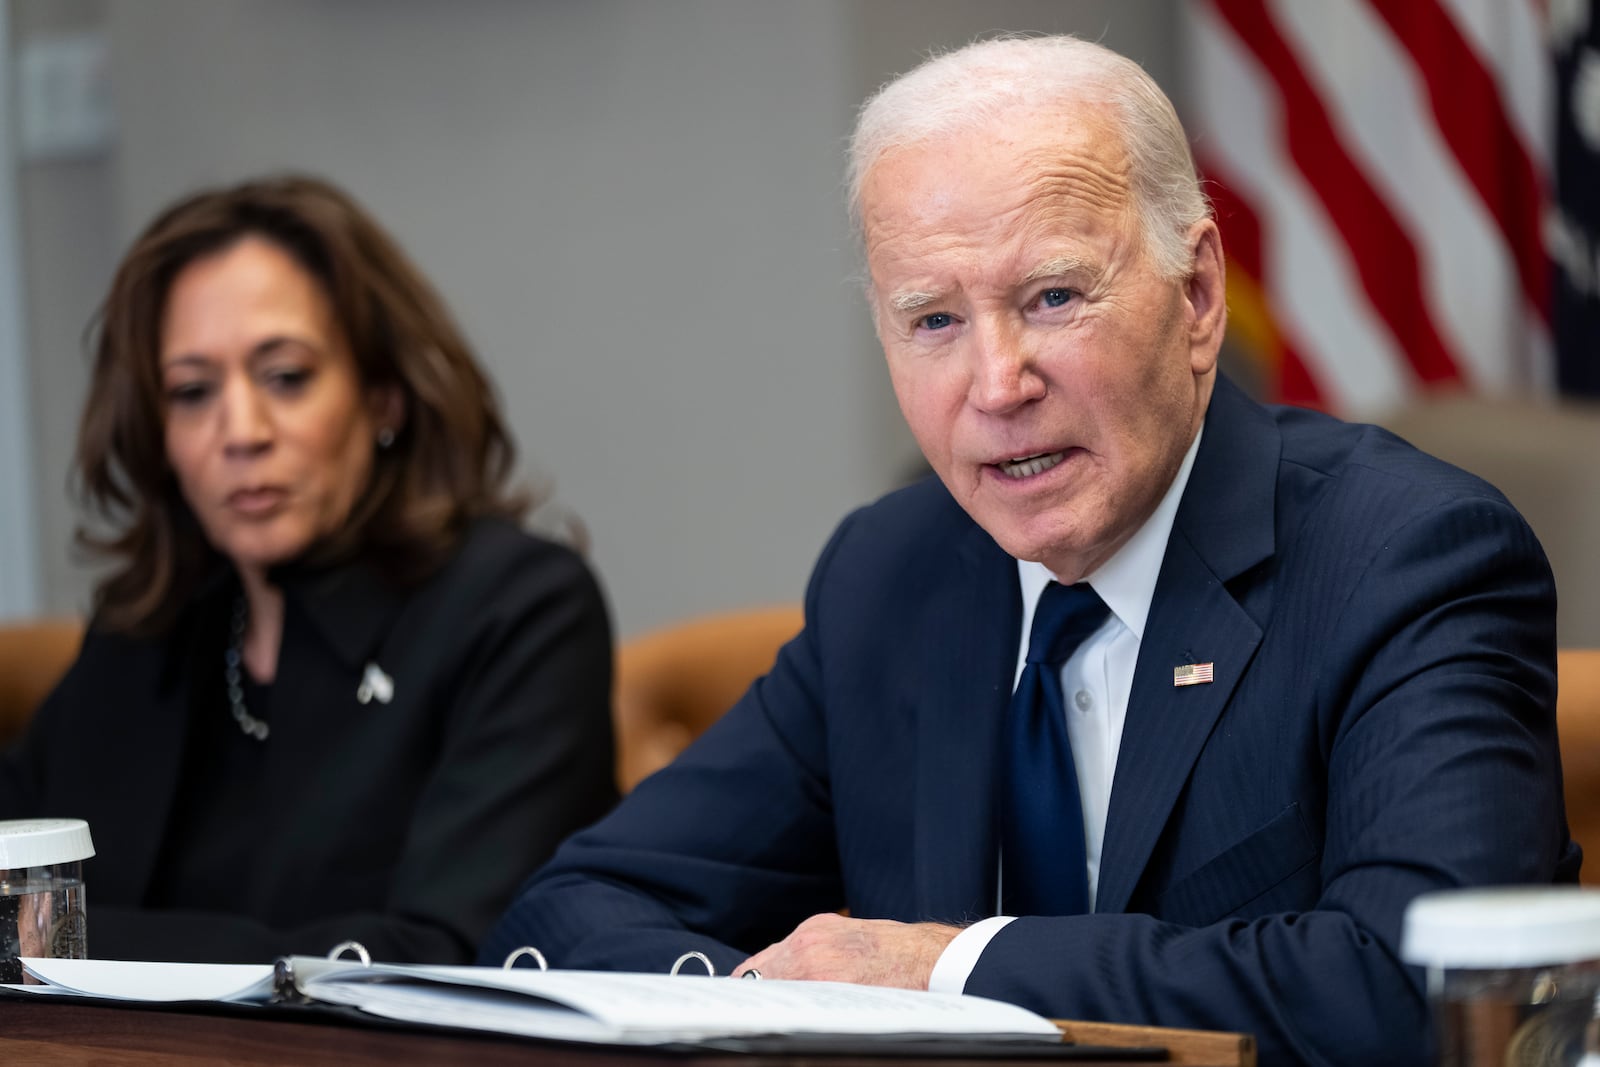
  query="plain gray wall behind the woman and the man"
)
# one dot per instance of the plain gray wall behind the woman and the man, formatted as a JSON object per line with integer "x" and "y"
{"x": 633, "y": 206}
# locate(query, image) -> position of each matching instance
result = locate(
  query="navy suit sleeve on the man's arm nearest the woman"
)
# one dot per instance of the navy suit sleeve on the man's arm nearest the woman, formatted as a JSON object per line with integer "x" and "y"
{"x": 721, "y": 853}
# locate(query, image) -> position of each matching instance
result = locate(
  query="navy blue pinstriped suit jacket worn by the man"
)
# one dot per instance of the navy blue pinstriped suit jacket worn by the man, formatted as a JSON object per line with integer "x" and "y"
{"x": 1382, "y": 724}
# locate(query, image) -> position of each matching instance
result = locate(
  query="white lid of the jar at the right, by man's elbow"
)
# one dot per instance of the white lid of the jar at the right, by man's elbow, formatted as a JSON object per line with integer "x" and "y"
{"x": 1503, "y": 927}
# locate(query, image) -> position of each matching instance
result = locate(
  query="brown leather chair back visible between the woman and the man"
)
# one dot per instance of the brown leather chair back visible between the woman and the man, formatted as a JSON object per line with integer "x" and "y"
{"x": 674, "y": 682}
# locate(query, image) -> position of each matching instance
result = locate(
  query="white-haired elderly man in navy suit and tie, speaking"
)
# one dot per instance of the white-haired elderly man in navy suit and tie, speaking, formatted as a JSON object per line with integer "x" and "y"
{"x": 1158, "y": 706}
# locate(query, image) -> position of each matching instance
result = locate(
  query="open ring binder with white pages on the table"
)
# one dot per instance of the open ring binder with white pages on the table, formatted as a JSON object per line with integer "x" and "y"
{"x": 594, "y": 1007}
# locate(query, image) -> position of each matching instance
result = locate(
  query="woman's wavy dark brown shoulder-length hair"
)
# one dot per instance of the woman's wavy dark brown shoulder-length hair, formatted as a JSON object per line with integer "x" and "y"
{"x": 450, "y": 460}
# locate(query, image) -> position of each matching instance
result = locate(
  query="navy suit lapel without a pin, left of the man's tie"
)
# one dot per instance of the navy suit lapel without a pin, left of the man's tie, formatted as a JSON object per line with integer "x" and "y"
{"x": 967, "y": 637}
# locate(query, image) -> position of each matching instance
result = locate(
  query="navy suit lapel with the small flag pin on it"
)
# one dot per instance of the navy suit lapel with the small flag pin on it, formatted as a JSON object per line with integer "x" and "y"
{"x": 1225, "y": 527}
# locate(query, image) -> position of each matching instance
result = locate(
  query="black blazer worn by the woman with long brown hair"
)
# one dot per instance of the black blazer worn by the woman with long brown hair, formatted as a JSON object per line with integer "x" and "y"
{"x": 406, "y": 825}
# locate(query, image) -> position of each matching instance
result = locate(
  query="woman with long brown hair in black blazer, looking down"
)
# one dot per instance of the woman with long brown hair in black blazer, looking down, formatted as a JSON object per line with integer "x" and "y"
{"x": 330, "y": 690}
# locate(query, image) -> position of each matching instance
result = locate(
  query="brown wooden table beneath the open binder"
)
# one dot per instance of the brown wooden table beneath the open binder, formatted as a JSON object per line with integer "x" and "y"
{"x": 58, "y": 1031}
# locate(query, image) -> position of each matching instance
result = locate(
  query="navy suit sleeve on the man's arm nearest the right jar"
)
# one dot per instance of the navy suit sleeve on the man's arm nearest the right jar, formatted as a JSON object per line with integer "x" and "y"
{"x": 1434, "y": 713}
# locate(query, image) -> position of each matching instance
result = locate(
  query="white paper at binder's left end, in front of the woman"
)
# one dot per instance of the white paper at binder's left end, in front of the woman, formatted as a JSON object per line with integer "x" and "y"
{"x": 127, "y": 980}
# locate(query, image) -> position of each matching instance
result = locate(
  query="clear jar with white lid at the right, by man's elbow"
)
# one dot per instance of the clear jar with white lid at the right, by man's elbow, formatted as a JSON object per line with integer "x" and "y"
{"x": 1513, "y": 973}
